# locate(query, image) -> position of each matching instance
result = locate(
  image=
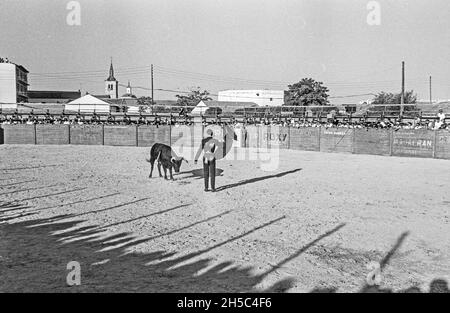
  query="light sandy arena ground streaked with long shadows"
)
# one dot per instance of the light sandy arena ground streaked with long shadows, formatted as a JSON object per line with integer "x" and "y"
{"x": 313, "y": 224}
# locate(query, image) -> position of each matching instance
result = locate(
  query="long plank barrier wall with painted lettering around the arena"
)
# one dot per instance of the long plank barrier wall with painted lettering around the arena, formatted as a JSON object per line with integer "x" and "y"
{"x": 409, "y": 143}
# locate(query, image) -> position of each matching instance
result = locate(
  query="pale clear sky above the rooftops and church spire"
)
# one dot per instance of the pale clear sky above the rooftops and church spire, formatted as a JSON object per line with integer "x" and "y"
{"x": 232, "y": 44}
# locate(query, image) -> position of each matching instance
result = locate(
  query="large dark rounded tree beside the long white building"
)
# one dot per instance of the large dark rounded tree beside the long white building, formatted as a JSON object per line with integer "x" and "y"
{"x": 307, "y": 92}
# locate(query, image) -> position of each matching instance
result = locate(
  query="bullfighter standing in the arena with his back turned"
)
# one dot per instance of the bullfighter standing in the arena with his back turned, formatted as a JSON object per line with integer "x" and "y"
{"x": 210, "y": 147}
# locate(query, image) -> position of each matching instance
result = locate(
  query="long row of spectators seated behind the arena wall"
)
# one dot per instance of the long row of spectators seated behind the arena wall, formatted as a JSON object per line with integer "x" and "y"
{"x": 439, "y": 122}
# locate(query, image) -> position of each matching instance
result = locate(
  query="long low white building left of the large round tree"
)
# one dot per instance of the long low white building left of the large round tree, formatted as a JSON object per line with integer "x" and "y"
{"x": 260, "y": 97}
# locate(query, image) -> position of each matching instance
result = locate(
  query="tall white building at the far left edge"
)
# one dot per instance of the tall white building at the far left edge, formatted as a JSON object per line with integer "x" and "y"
{"x": 13, "y": 85}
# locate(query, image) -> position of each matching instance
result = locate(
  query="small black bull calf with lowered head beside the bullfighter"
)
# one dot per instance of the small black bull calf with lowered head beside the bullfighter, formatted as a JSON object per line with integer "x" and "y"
{"x": 165, "y": 157}
